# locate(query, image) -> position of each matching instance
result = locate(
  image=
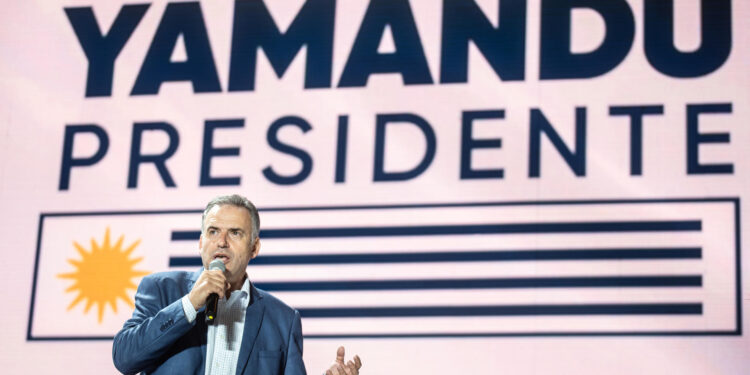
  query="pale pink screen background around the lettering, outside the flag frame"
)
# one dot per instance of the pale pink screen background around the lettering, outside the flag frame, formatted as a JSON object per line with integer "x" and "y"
{"x": 44, "y": 75}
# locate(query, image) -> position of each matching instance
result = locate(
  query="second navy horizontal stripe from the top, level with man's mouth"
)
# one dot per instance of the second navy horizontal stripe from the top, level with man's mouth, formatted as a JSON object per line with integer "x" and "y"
{"x": 463, "y": 256}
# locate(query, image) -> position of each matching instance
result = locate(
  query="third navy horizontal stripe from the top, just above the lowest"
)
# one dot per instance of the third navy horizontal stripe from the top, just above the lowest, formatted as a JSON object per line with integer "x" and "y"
{"x": 485, "y": 283}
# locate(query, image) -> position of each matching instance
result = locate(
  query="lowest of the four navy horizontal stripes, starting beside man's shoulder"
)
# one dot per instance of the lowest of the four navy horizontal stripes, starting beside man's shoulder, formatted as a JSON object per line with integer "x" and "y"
{"x": 505, "y": 310}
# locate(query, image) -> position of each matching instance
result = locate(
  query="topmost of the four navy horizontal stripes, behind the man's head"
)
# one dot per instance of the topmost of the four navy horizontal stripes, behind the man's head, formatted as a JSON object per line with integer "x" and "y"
{"x": 428, "y": 230}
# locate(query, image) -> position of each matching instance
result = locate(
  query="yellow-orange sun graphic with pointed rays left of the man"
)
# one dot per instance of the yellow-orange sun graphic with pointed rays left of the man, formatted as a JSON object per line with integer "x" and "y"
{"x": 103, "y": 274}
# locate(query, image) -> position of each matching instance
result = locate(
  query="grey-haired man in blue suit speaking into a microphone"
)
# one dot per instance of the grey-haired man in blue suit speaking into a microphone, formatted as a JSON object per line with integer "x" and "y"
{"x": 254, "y": 333}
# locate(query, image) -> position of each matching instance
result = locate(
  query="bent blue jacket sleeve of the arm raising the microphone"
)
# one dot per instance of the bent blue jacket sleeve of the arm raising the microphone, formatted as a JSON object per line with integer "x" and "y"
{"x": 150, "y": 332}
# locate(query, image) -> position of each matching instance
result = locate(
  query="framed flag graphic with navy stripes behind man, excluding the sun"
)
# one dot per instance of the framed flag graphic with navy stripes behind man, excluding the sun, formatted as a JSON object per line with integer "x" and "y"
{"x": 481, "y": 269}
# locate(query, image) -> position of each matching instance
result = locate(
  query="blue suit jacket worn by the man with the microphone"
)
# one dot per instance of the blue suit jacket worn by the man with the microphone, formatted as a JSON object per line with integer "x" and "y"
{"x": 159, "y": 340}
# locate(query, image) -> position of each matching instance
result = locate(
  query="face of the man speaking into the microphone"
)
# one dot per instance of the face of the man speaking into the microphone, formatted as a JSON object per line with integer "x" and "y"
{"x": 227, "y": 236}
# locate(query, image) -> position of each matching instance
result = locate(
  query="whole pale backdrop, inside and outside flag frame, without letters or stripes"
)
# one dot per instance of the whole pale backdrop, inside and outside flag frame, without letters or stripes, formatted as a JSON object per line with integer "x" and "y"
{"x": 44, "y": 73}
